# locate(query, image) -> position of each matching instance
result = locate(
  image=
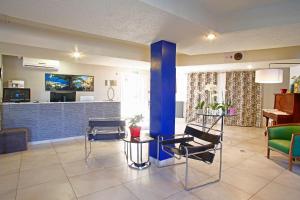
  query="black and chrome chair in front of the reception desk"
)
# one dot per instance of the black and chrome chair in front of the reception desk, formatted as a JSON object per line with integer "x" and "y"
{"x": 103, "y": 130}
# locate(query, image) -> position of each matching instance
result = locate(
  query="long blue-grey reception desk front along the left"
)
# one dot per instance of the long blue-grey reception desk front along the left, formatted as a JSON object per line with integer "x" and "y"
{"x": 48, "y": 121}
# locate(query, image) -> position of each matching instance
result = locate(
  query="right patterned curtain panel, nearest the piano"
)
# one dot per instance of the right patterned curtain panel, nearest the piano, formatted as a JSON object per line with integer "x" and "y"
{"x": 246, "y": 96}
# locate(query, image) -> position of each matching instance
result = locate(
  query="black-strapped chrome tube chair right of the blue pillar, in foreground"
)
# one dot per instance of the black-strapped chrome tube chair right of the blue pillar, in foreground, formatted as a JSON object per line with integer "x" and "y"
{"x": 193, "y": 144}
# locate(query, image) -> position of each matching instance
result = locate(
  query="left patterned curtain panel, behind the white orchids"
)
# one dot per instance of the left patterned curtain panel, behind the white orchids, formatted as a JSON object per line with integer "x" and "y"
{"x": 196, "y": 92}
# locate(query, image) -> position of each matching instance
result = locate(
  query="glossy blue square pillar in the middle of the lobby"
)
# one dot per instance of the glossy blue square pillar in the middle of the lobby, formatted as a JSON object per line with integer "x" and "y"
{"x": 162, "y": 93}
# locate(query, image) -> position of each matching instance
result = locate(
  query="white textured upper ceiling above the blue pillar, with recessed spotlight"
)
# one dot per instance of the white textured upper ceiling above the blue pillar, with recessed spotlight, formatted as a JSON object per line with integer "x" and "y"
{"x": 240, "y": 24}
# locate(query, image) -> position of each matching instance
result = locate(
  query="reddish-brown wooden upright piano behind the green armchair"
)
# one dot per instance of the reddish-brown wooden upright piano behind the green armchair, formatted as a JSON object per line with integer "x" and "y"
{"x": 286, "y": 109}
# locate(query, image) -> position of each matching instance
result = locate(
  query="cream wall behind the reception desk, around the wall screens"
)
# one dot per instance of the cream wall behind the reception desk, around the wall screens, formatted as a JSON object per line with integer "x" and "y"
{"x": 35, "y": 79}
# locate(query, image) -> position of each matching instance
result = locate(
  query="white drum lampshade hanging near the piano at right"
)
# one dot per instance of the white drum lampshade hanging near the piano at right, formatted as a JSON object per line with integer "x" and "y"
{"x": 269, "y": 75}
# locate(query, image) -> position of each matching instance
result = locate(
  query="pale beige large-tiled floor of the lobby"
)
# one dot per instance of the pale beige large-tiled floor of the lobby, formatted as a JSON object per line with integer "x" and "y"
{"x": 58, "y": 171}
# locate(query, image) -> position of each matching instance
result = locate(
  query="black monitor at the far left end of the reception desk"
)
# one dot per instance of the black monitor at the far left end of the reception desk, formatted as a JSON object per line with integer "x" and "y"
{"x": 16, "y": 95}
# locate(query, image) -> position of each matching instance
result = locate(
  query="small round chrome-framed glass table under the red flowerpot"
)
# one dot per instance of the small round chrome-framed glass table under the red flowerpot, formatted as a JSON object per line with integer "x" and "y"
{"x": 133, "y": 148}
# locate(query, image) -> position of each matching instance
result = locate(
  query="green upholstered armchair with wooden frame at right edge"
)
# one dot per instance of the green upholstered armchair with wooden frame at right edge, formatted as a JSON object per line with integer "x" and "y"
{"x": 285, "y": 138}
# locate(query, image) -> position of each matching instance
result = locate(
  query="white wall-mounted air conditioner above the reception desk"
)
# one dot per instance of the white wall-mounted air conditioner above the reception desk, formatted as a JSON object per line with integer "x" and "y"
{"x": 41, "y": 64}
